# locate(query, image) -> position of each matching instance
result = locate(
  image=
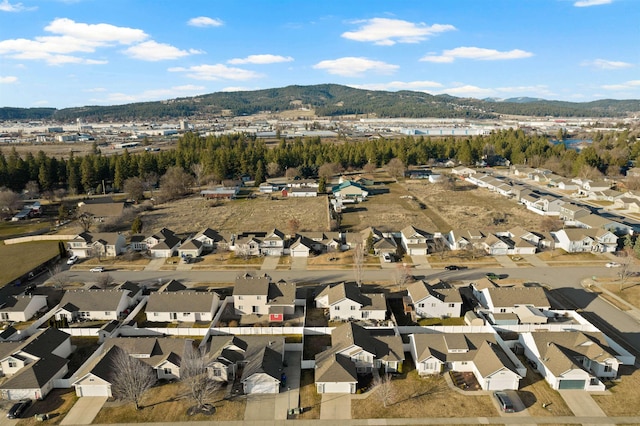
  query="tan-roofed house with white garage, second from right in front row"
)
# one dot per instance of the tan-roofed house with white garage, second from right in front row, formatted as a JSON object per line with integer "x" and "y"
{"x": 480, "y": 353}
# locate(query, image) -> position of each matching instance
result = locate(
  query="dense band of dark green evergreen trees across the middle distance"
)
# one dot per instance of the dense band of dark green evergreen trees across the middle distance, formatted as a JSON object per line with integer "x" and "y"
{"x": 216, "y": 158}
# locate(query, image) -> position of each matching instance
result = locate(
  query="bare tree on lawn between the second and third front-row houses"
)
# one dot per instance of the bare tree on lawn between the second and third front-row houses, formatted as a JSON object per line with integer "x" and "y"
{"x": 195, "y": 376}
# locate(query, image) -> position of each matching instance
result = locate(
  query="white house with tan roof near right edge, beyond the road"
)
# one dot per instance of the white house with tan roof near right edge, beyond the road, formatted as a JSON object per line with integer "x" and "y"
{"x": 575, "y": 240}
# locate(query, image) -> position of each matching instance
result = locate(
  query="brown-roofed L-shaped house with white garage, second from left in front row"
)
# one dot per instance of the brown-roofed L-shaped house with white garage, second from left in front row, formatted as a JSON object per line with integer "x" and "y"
{"x": 163, "y": 355}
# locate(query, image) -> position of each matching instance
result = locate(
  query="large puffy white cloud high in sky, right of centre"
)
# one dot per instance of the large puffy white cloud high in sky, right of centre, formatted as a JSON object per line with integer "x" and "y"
{"x": 387, "y": 32}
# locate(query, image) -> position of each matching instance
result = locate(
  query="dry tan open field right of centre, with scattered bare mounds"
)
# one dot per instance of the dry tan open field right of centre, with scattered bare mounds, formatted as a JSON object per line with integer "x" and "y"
{"x": 469, "y": 207}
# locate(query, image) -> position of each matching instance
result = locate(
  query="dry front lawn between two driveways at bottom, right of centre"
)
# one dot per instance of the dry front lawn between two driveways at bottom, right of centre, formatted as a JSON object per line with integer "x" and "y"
{"x": 414, "y": 396}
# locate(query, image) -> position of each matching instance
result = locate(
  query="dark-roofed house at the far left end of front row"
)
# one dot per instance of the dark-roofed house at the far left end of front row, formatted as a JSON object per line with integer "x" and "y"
{"x": 34, "y": 364}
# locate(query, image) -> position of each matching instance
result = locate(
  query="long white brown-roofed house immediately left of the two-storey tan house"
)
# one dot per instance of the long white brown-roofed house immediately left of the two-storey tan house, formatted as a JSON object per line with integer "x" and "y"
{"x": 182, "y": 306}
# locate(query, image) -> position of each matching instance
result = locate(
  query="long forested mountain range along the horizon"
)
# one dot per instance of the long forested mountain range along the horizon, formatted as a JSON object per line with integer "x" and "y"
{"x": 330, "y": 100}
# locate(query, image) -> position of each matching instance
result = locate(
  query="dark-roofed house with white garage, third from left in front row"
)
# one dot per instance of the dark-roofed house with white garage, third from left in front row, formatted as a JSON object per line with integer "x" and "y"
{"x": 257, "y": 360}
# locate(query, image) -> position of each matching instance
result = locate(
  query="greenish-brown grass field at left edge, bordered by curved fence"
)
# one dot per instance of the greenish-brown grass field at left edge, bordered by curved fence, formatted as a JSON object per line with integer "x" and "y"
{"x": 18, "y": 259}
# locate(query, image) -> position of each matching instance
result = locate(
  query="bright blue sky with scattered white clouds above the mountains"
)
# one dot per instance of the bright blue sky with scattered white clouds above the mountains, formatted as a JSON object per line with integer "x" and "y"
{"x": 63, "y": 53}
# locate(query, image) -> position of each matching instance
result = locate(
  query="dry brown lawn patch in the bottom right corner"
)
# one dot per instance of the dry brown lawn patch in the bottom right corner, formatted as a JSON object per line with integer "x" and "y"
{"x": 625, "y": 398}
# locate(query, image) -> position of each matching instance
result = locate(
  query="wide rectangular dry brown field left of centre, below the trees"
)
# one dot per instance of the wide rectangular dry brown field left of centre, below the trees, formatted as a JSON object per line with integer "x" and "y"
{"x": 194, "y": 213}
